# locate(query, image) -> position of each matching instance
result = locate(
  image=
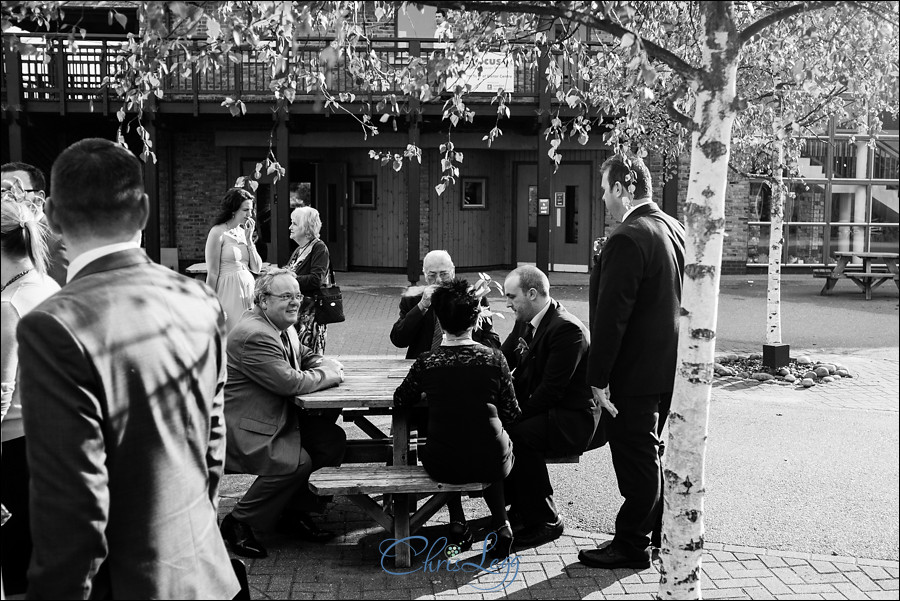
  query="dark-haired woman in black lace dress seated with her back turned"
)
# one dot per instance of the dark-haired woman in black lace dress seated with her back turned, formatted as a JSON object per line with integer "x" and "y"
{"x": 470, "y": 398}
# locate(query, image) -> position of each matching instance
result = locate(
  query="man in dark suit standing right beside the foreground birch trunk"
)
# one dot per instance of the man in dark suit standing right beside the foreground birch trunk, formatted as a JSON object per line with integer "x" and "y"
{"x": 631, "y": 367}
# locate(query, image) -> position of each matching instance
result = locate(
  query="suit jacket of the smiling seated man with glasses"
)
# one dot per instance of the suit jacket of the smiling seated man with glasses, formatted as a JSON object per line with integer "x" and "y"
{"x": 260, "y": 410}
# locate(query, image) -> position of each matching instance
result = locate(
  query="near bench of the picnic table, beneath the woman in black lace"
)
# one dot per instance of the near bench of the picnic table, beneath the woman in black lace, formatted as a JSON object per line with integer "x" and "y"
{"x": 357, "y": 482}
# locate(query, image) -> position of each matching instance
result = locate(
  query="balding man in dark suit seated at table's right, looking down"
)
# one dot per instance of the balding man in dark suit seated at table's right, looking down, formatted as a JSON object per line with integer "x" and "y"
{"x": 547, "y": 351}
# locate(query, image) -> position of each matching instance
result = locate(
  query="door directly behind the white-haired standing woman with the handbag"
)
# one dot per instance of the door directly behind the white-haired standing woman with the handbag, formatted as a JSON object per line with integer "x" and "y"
{"x": 331, "y": 201}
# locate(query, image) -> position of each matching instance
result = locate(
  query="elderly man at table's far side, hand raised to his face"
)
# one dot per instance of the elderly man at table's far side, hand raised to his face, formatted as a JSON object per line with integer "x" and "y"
{"x": 417, "y": 330}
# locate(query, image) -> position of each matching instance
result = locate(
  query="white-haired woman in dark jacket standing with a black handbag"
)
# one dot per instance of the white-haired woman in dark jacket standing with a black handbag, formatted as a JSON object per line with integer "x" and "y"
{"x": 311, "y": 264}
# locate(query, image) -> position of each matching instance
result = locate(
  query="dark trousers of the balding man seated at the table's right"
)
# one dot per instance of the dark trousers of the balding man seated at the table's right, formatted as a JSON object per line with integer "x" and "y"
{"x": 528, "y": 486}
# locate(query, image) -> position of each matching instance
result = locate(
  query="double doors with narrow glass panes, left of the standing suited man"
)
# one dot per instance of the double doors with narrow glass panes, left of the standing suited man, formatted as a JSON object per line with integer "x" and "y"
{"x": 570, "y": 207}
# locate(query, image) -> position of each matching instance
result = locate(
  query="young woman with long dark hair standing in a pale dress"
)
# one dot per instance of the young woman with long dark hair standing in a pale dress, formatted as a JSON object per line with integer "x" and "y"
{"x": 231, "y": 256}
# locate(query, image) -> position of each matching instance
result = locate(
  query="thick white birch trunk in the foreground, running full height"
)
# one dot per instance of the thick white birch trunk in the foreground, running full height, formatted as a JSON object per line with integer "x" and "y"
{"x": 684, "y": 469}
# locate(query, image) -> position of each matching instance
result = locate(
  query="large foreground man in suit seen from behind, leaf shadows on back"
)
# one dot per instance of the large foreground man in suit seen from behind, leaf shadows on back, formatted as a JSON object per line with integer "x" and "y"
{"x": 122, "y": 375}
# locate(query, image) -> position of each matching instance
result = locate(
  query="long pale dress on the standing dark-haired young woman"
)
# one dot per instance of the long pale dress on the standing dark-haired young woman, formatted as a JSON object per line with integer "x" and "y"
{"x": 235, "y": 284}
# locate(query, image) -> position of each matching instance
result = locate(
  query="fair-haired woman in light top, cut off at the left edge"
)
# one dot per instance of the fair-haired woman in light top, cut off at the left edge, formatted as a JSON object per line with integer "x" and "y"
{"x": 24, "y": 284}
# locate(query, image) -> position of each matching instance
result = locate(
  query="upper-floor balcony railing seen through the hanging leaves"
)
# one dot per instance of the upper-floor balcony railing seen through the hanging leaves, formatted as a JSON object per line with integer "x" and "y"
{"x": 70, "y": 78}
